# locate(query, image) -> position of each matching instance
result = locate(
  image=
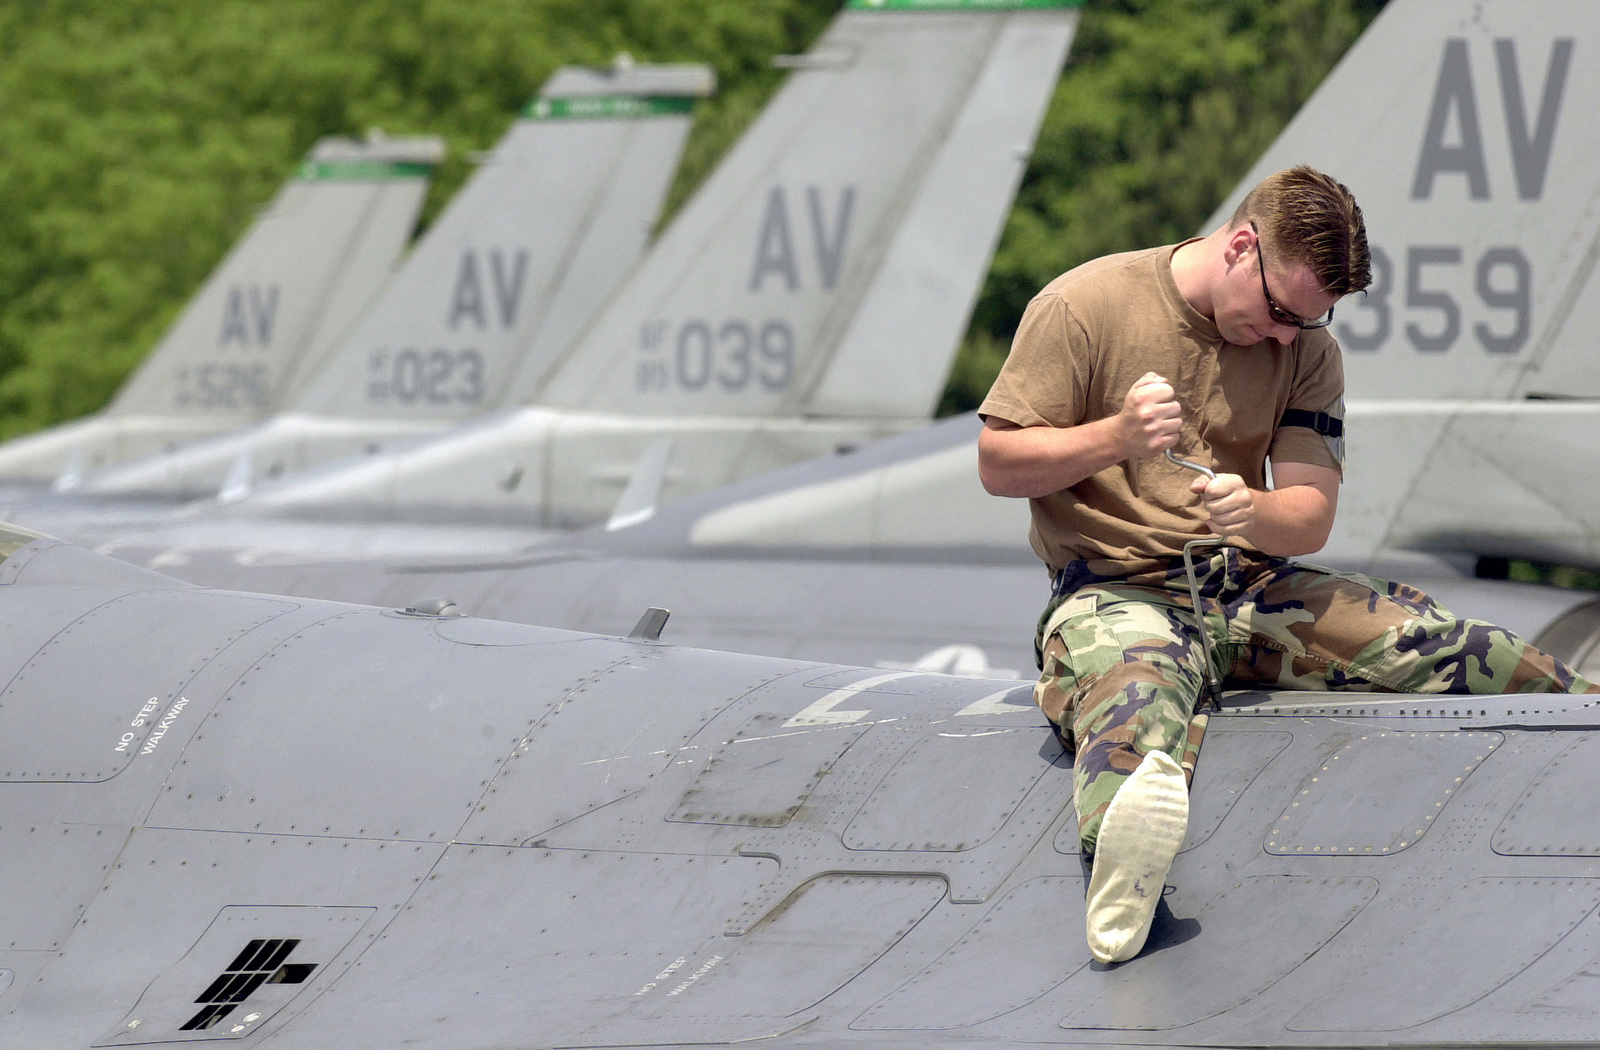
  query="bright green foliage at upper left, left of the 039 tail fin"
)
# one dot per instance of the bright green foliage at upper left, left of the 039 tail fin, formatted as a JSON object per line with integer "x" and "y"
{"x": 140, "y": 137}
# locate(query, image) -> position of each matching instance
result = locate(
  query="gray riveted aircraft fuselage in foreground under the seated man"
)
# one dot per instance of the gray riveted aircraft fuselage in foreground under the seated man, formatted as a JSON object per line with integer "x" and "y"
{"x": 265, "y": 822}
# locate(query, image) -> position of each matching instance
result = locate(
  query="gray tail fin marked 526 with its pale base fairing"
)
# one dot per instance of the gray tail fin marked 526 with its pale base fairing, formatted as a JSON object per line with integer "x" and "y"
{"x": 265, "y": 319}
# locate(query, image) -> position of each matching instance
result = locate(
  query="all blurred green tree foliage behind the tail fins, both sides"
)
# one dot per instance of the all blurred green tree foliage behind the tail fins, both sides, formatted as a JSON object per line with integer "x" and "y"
{"x": 140, "y": 137}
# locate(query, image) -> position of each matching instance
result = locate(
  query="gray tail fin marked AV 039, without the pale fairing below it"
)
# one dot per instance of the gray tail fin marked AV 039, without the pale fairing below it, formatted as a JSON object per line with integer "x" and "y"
{"x": 830, "y": 265}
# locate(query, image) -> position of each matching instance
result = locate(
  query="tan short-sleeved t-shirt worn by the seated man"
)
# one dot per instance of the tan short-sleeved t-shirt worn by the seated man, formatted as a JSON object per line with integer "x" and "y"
{"x": 1089, "y": 337}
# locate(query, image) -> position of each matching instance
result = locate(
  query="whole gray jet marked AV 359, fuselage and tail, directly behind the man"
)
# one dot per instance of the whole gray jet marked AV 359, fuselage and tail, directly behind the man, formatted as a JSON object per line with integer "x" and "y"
{"x": 1487, "y": 130}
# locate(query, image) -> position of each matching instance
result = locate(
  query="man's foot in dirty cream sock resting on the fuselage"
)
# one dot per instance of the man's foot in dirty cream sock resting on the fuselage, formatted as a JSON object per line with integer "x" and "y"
{"x": 1138, "y": 841}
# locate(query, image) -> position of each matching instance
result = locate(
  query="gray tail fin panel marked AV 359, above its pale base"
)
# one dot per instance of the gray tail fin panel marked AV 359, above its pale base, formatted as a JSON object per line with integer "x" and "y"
{"x": 1463, "y": 130}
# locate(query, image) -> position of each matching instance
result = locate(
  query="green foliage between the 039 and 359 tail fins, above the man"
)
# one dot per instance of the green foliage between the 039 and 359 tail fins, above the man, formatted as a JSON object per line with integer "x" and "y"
{"x": 1162, "y": 110}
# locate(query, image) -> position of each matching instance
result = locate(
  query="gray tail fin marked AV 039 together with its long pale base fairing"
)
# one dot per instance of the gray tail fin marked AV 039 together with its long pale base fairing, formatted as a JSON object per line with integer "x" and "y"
{"x": 809, "y": 297}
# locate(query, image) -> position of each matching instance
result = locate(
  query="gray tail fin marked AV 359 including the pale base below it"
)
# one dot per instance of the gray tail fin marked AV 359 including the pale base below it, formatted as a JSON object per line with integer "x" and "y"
{"x": 1463, "y": 129}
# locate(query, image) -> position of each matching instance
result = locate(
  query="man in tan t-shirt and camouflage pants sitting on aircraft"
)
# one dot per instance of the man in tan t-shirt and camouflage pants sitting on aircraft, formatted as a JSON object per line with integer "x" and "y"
{"x": 1217, "y": 347}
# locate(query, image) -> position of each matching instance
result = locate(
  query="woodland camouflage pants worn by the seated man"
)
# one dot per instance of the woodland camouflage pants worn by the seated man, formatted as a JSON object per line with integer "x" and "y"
{"x": 1121, "y": 654}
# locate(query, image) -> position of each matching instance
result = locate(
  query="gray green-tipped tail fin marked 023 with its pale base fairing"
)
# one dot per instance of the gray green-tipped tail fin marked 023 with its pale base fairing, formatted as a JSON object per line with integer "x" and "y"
{"x": 527, "y": 250}
